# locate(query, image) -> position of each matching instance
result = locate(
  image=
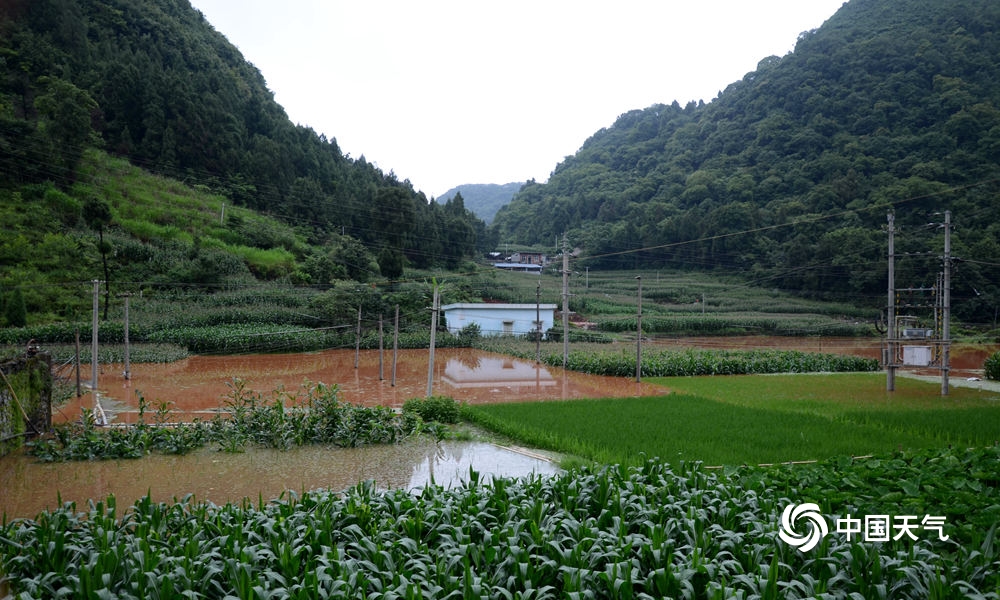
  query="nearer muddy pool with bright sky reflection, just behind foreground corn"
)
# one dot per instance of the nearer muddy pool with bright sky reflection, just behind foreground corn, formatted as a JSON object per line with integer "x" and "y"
{"x": 28, "y": 487}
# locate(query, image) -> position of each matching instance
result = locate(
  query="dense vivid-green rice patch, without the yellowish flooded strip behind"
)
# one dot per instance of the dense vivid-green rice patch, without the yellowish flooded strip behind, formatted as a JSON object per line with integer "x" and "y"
{"x": 681, "y": 427}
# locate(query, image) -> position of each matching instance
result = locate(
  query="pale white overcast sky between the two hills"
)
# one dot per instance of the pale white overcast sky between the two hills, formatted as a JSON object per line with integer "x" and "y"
{"x": 446, "y": 92}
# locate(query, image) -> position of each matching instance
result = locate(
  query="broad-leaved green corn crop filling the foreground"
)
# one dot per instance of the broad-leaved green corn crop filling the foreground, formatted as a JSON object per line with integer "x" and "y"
{"x": 647, "y": 531}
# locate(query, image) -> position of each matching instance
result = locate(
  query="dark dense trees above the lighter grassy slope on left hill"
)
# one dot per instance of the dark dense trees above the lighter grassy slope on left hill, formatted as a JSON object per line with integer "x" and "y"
{"x": 153, "y": 82}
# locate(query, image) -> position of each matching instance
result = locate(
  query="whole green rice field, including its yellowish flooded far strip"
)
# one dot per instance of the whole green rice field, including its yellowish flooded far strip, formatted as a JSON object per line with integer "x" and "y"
{"x": 753, "y": 419}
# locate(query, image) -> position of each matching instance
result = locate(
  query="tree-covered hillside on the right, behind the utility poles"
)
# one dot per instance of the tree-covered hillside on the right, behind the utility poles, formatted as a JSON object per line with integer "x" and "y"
{"x": 788, "y": 175}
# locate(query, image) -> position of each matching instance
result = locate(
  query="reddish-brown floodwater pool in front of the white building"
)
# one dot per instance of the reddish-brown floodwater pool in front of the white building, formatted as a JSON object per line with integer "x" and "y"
{"x": 197, "y": 386}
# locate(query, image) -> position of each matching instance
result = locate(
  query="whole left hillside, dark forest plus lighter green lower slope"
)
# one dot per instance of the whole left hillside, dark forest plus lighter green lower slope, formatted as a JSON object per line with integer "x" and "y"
{"x": 151, "y": 81}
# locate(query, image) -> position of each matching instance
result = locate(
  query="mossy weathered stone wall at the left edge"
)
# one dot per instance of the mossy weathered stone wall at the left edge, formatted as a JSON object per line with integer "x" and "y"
{"x": 25, "y": 399}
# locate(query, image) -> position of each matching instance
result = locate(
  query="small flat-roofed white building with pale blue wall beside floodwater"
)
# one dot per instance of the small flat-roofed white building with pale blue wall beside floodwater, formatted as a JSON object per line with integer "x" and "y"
{"x": 500, "y": 319}
